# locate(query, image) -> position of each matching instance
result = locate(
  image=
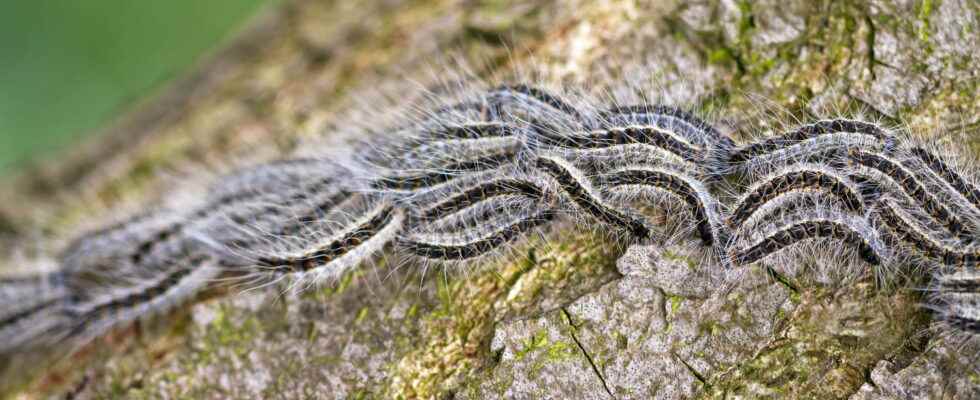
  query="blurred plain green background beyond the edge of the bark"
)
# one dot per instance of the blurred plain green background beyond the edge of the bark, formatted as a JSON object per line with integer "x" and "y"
{"x": 67, "y": 67}
